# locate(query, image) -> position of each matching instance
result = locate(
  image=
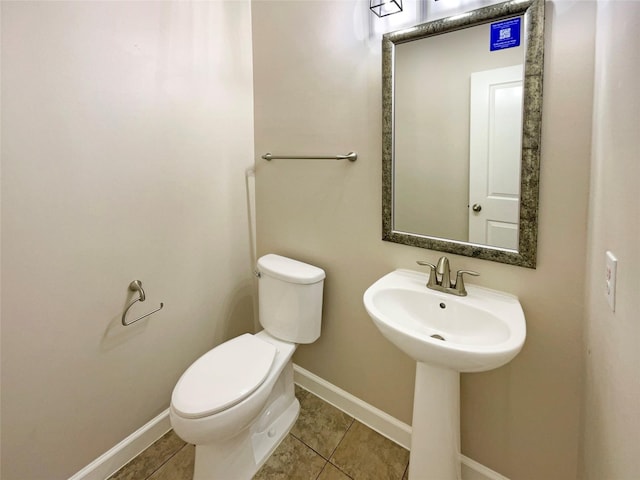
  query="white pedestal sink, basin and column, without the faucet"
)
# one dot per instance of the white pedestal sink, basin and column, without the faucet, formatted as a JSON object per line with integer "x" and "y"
{"x": 446, "y": 335}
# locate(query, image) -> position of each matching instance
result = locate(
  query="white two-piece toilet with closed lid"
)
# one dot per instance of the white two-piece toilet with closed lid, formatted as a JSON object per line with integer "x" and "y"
{"x": 236, "y": 402}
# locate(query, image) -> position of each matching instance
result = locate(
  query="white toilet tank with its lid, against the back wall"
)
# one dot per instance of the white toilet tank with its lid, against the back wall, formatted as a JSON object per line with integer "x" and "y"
{"x": 290, "y": 298}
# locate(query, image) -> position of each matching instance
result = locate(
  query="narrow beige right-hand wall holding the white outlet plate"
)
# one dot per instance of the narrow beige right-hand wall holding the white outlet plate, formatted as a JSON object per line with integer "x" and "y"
{"x": 611, "y": 420}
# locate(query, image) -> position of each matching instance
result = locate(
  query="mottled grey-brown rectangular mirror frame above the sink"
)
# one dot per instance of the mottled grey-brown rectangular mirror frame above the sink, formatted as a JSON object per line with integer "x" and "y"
{"x": 533, "y": 12}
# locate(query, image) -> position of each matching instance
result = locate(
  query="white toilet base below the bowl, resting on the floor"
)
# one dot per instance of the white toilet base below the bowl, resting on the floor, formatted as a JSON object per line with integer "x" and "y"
{"x": 240, "y": 457}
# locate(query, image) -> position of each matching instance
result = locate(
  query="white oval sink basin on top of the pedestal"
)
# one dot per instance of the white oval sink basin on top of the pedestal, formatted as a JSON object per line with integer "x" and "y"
{"x": 479, "y": 332}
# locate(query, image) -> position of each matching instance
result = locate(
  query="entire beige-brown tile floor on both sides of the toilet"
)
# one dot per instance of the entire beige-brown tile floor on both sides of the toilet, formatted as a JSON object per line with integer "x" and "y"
{"x": 324, "y": 444}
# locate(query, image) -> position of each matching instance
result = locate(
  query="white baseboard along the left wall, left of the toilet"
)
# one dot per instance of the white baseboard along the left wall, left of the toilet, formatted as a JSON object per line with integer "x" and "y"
{"x": 117, "y": 457}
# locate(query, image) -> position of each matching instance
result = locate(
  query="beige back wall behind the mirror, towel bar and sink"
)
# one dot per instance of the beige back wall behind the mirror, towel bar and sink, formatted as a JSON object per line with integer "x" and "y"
{"x": 317, "y": 90}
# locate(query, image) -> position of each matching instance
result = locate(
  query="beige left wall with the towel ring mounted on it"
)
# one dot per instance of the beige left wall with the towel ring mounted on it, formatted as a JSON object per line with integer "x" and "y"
{"x": 126, "y": 130}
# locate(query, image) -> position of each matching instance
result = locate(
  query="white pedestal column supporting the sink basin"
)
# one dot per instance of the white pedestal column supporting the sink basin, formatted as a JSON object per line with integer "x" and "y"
{"x": 435, "y": 436}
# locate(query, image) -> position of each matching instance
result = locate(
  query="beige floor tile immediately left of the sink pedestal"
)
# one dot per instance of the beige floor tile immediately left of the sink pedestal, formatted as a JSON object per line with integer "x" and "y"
{"x": 366, "y": 455}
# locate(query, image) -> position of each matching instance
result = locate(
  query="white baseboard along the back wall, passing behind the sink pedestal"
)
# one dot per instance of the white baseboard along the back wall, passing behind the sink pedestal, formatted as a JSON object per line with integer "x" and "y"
{"x": 377, "y": 420}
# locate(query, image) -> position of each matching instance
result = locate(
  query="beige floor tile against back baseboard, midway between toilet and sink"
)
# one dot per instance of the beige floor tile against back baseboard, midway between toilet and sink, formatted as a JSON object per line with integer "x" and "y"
{"x": 320, "y": 425}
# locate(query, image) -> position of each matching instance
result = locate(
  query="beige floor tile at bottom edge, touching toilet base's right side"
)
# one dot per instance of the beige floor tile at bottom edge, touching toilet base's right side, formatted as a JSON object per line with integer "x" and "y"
{"x": 292, "y": 460}
